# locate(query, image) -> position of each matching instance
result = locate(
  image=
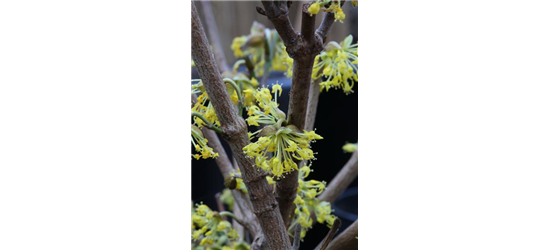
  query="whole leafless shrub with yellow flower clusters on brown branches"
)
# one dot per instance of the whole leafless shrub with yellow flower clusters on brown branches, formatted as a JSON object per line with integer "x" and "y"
{"x": 273, "y": 152}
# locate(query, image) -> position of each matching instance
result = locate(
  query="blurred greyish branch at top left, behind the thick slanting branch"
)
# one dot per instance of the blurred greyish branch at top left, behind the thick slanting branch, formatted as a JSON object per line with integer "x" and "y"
{"x": 213, "y": 34}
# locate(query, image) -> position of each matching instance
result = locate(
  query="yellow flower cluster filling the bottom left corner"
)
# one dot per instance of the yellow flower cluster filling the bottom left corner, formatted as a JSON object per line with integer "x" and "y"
{"x": 208, "y": 229}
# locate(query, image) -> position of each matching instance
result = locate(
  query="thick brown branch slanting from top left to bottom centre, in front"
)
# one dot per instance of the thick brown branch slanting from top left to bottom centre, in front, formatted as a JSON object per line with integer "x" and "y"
{"x": 264, "y": 204}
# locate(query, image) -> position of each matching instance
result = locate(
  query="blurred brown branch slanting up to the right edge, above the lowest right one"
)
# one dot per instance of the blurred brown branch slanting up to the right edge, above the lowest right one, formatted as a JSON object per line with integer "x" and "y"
{"x": 342, "y": 181}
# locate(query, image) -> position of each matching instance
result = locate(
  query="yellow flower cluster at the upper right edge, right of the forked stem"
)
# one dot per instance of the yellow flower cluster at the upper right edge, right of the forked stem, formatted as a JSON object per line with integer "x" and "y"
{"x": 337, "y": 64}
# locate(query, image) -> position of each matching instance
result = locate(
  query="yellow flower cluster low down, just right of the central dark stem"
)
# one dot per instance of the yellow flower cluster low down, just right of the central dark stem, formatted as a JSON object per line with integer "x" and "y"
{"x": 307, "y": 202}
